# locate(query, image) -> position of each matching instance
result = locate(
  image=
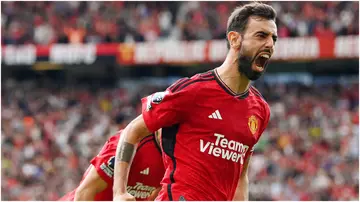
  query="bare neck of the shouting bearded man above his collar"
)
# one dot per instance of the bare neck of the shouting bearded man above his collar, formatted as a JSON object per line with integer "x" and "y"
{"x": 231, "y": 76}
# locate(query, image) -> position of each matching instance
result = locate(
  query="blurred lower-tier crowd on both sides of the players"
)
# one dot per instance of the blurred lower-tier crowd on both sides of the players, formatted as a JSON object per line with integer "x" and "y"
{"x": 51, "y": 131}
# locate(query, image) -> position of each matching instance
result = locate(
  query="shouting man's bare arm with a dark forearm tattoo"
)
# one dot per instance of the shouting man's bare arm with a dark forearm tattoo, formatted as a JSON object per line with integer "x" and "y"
{"x": 125, "y": 152}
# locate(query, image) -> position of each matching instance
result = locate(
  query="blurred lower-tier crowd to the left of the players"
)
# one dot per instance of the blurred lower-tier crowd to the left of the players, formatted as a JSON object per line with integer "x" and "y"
{"x": 49, "y": 134}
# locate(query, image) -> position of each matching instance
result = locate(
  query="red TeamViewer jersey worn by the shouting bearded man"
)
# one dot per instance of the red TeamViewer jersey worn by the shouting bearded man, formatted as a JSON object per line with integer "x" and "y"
{"x": 208, "y": 132}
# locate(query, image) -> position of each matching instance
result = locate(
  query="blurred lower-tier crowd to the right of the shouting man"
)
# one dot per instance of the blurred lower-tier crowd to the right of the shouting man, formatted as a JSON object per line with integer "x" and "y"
{"x": 310, "y": 150}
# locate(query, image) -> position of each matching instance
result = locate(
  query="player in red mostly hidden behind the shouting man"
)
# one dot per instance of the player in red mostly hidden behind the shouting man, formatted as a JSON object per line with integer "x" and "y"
{"x": 145, "y": 174}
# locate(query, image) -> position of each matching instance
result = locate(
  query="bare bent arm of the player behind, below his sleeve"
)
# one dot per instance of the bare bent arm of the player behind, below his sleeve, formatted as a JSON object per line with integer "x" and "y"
{"x": 90, "y": 186}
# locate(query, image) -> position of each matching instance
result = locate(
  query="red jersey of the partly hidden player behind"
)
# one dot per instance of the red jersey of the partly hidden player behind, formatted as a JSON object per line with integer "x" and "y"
{"x": 146, "y": 172}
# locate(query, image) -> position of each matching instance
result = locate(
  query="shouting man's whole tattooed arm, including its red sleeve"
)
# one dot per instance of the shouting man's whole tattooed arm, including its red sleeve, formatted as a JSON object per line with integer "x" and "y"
{"x": 159, "y": 110}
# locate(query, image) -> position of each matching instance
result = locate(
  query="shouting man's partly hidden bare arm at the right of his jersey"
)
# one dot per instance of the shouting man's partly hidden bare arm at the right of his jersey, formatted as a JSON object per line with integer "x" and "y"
{"x": 242, "y": 189}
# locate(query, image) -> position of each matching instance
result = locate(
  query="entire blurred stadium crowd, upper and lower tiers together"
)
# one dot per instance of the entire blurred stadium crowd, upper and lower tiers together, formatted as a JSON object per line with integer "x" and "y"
{"x": 50, "y": 129}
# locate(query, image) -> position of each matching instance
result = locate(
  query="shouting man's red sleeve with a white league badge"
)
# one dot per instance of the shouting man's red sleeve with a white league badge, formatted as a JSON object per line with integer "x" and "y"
{"x": 164, "y": 109}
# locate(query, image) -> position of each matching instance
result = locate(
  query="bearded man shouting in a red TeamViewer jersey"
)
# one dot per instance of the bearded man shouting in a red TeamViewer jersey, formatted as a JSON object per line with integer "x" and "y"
{"x": 211, "y": 121}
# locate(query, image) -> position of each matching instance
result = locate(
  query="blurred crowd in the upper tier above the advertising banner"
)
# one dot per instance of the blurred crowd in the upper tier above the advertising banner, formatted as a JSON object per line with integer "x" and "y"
{"x": 46, "y": 22}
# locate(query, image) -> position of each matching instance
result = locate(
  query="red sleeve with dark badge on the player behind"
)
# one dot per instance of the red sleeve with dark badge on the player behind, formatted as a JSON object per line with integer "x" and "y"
{"x": 105, "y": 160}
